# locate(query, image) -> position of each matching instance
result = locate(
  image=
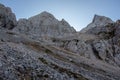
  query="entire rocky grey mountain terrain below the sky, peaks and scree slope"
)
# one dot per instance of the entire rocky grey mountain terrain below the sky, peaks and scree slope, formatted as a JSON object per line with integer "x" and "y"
{"x": 44, "y": 48}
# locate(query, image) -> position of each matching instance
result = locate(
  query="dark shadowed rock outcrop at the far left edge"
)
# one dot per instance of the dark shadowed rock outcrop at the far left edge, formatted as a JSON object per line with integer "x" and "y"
{"x": 7, "y": 18}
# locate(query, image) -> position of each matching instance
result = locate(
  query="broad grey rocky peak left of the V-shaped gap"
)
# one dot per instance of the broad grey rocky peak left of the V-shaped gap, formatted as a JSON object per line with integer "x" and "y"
{"x": 44, "y": 24}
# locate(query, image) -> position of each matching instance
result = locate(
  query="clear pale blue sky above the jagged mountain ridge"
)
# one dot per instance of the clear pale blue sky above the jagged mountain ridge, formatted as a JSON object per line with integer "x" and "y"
{"x": 78, "y": 13}
